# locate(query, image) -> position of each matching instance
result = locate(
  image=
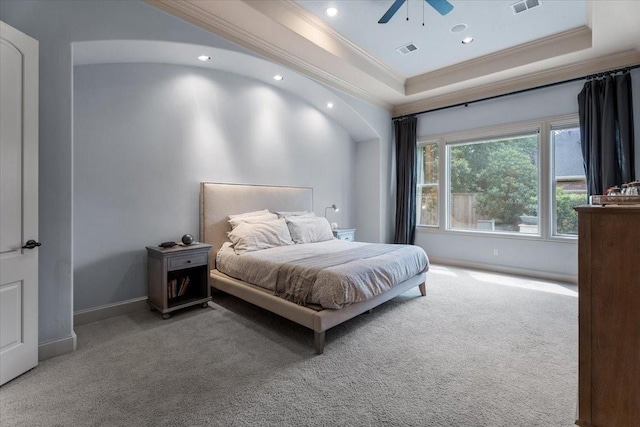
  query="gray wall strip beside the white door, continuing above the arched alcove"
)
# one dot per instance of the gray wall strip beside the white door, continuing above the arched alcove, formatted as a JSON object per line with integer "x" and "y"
{"x": 56, "y": 24}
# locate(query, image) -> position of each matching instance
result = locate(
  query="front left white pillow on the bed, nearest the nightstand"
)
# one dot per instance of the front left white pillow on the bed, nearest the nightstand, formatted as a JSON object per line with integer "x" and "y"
{"x": 248, "y": 237}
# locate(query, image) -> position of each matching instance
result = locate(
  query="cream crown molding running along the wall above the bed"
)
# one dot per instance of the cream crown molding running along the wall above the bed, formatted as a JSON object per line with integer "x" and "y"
{"x": 207, "y": 15}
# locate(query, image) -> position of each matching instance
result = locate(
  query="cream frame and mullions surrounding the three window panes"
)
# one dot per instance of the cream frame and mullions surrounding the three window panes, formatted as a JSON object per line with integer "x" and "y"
{"x": 546, "y": 181}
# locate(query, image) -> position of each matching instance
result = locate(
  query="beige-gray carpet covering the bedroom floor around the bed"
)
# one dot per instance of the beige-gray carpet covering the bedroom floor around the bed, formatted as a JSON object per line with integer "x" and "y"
{"x": 479, "y": 350}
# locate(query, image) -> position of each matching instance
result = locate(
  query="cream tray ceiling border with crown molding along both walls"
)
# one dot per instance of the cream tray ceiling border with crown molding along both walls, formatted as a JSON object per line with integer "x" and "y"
{"x": 284, "y": 32}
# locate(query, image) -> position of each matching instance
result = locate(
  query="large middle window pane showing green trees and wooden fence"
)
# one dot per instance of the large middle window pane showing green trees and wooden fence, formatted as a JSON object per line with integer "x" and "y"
{"x": 493, "y": 184}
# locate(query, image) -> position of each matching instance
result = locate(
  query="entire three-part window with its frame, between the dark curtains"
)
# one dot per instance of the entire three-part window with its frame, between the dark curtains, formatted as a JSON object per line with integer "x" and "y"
{"x": 521, "y": 179}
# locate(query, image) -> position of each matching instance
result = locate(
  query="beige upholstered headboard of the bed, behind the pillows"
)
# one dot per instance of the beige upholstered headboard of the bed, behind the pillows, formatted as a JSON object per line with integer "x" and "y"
{"x": 218, "y": 200}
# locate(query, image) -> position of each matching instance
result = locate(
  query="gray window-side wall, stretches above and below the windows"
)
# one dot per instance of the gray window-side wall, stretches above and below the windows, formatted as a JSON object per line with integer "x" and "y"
{"x": 546, "y": 258}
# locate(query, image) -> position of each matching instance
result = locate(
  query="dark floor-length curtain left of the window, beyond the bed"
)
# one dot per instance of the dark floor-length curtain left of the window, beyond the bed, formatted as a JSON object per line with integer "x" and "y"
{"x": 405, "y": 133}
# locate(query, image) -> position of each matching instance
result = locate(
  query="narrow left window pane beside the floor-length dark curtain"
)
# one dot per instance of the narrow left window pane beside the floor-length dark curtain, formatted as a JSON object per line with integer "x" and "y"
{"x": 427, "y": 197}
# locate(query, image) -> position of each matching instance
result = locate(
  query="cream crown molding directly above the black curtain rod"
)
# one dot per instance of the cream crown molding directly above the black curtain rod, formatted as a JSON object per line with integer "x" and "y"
{"x": 556, "y": 75}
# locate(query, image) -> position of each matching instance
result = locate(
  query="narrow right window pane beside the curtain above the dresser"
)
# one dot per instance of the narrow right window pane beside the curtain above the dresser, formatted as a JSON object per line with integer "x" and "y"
{"x": 569, "y": 182}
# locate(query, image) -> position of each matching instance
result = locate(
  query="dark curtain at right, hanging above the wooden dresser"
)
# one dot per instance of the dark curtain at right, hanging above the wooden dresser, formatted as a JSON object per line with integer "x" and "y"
{"x": 606, "y": 129}
